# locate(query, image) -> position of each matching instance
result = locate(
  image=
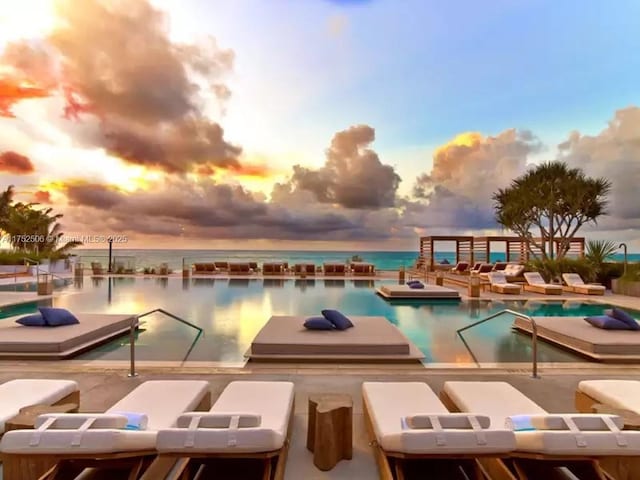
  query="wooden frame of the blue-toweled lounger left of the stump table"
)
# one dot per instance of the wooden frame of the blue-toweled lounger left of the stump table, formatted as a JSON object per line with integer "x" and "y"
{"x": 62, "y": 466}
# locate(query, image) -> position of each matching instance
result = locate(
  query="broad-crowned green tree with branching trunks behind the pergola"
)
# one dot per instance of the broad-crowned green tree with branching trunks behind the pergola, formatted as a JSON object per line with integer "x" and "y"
{"x": 554, "y": 199}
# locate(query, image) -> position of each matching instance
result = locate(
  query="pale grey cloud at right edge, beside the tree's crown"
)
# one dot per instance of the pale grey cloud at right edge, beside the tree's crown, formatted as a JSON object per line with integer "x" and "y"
{"x": 614, "y": 154}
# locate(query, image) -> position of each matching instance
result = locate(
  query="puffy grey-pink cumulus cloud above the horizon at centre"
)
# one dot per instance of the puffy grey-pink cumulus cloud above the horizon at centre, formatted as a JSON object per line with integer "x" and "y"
{"x": 353, "y": 175}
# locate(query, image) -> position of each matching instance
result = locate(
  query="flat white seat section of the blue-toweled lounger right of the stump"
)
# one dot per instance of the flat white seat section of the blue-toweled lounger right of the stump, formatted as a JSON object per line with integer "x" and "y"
{"x": 497, "y": 400}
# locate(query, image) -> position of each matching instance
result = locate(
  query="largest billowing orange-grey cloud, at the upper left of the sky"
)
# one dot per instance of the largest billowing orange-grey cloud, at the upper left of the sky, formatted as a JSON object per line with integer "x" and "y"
{"x": 144, "y": 94}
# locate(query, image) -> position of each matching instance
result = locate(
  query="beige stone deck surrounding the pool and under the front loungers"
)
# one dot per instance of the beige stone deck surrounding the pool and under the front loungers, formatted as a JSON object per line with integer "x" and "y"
{"x": 103, "y": 383}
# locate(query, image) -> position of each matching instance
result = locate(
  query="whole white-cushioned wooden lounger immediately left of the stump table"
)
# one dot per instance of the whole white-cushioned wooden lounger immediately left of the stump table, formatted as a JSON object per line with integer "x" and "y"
{"x": 246, "y": 433}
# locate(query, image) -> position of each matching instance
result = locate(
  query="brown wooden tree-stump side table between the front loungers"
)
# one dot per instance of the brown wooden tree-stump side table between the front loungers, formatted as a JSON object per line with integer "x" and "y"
{"x": 330, "y": 429}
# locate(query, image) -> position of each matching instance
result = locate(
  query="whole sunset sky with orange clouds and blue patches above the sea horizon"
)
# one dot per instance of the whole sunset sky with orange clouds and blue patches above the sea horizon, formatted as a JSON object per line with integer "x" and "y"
{"x": 333, "y": 124}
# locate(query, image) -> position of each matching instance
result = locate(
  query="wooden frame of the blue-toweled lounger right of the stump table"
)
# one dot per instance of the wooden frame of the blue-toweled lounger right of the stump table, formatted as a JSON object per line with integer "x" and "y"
{"x": 532, "y": 466}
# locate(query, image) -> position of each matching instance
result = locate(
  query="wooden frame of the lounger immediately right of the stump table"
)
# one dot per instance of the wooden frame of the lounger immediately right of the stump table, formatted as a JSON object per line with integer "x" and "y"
{"x": 392, "y": 465}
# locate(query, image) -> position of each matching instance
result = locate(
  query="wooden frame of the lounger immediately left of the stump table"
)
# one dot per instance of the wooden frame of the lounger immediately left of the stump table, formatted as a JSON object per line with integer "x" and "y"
{"x": 175, "y": 466}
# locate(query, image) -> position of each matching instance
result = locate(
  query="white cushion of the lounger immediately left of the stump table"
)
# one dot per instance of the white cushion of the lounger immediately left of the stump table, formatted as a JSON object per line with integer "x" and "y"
{"x": 272, "y": 402}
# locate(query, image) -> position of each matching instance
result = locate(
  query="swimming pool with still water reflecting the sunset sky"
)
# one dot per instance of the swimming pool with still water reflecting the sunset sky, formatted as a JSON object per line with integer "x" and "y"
{"x": 232, "y": 311}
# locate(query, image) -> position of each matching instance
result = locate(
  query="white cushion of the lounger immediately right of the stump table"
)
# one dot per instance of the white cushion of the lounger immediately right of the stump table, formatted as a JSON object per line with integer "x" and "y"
{"x": 390, "y": 403}
